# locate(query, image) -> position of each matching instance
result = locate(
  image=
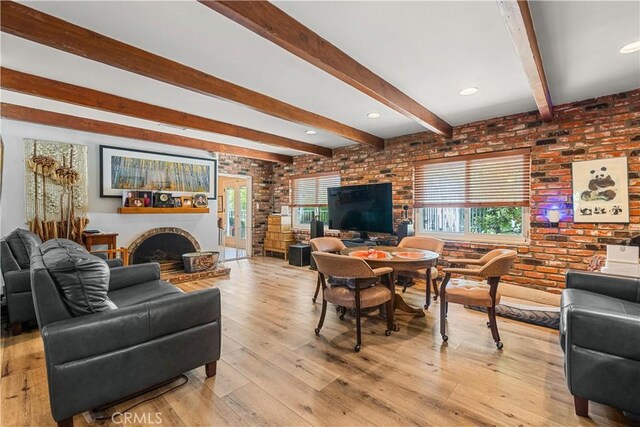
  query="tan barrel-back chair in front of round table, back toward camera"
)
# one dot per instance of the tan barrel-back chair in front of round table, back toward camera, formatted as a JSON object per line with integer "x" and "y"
{"x": 364, "y": 293}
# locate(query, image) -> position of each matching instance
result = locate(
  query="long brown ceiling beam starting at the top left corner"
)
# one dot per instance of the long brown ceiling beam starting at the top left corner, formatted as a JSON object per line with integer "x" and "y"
{"x": 48, "y": 30}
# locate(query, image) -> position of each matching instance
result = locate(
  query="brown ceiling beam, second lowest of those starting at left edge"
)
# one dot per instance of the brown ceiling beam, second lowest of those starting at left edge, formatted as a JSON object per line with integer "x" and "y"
{"x": 29, "y": 84}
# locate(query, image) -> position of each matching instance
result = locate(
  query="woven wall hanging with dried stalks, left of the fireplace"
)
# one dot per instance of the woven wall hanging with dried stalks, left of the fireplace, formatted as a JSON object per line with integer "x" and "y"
{"x": 56, "y": 201}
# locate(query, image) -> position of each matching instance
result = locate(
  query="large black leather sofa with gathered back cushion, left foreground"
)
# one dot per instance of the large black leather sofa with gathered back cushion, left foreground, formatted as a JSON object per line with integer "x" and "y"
{"x": 141, "y": 332}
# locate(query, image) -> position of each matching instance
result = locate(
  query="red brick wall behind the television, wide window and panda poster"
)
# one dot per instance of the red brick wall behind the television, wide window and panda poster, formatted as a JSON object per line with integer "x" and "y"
{"x": 596, "y": 128}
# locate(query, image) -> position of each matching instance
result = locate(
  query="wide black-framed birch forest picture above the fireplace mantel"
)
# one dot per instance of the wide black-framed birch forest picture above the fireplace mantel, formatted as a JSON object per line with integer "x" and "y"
{"x": 126, "y": 169}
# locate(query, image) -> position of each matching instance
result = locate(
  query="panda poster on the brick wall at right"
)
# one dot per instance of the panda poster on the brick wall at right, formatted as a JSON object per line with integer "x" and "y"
{"x": 601, "y": 191}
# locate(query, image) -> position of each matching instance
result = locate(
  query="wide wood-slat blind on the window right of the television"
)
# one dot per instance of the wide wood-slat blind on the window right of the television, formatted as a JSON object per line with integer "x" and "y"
{"x": 493, "y": 179}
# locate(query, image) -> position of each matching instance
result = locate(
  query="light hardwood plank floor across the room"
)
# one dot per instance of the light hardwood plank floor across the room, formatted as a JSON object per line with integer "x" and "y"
{"x": 275, "y": 371}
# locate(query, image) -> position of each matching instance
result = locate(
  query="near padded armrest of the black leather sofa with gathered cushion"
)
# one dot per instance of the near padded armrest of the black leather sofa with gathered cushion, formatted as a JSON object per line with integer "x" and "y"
{"x": 96, "y": 334}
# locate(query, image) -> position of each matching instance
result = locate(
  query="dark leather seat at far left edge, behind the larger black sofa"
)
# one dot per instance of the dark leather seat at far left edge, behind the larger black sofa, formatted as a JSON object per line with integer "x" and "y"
{"x": 15, "y": 252}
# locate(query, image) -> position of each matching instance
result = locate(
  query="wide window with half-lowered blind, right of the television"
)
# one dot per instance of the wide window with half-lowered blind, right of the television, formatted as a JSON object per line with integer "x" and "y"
{"x": 481, "y": 197}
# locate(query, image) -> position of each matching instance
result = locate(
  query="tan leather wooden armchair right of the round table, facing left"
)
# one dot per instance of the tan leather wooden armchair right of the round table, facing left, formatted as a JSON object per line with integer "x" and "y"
{"x": 498, "y": 263}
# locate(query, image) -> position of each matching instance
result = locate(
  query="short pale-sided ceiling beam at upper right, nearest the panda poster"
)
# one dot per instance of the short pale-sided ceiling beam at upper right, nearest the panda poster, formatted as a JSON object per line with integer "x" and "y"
{"x": 517, "y": 18}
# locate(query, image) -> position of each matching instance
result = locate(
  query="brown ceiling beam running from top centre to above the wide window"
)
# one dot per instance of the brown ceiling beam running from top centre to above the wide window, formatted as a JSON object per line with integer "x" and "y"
{"x": 270, "y": 22}
